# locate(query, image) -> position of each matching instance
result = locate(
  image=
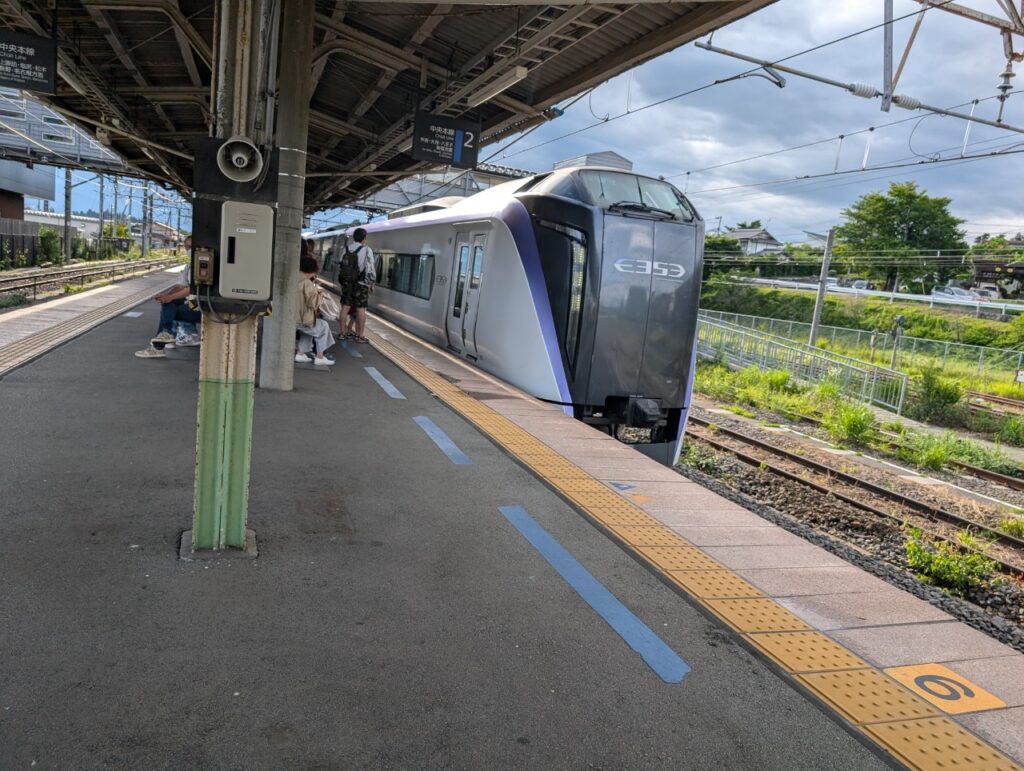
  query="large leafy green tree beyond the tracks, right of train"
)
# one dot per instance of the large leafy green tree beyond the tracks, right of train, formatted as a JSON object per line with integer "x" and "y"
{"x": 904, "y": 226}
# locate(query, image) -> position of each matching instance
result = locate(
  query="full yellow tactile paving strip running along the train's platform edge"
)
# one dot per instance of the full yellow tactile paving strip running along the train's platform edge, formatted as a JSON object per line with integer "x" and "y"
{"x": 914, "y": 733}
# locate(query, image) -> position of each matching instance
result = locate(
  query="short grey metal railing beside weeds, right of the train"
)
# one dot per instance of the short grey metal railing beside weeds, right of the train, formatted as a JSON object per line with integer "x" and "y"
{"x": 740, "y": 347}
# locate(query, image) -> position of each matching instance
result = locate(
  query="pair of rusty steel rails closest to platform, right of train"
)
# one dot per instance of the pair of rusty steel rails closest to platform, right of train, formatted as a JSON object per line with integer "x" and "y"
{"x": 909, "y": 502}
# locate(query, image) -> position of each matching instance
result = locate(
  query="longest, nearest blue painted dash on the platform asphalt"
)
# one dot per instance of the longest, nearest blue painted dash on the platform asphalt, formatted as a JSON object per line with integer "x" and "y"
{"x": 663, "y": 660}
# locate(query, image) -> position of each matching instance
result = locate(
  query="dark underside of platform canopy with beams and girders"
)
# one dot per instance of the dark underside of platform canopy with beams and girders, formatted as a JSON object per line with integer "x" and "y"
{"x": 143, "y": 70}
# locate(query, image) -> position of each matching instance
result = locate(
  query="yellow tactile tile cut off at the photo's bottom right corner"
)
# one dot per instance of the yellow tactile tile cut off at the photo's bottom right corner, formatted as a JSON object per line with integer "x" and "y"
{"x": 938, "y": 745}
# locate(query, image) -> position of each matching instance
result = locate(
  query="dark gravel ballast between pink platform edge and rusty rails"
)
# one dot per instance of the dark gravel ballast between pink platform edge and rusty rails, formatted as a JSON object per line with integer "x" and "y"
{"x": 872, "y": 543}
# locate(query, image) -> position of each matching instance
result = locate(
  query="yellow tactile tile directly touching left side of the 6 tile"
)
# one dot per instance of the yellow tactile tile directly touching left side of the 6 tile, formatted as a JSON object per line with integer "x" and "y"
{"x": 867, "y": 697}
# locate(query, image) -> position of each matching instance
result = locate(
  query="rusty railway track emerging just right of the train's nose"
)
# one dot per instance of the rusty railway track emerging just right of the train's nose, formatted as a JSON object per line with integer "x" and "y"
{"x": 927, "y": 510}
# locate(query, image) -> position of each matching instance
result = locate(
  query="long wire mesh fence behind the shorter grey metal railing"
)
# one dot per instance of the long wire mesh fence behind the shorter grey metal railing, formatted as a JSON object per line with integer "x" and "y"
{"x": 915, "y": 352}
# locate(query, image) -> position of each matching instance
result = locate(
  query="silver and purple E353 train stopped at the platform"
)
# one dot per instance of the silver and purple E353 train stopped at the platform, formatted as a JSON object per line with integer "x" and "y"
{"x": 578, "y": 286}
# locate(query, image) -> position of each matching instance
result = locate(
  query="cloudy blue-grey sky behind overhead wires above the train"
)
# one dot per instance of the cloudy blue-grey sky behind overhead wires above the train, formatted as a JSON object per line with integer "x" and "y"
{"x": 954, "y": 62}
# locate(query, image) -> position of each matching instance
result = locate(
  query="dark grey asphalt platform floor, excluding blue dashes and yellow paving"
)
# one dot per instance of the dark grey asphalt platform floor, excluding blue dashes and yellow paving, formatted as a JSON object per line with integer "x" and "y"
{"x": 395, "y": 619}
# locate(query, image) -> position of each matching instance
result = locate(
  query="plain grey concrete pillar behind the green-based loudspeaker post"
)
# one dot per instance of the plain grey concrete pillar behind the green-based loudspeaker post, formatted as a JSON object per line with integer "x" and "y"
{"x": 278, "y": 353}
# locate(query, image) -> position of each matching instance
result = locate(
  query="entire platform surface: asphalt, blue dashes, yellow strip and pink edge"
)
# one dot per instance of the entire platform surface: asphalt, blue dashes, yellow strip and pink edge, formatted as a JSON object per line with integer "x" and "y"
{"x": 418, "y": 598}
